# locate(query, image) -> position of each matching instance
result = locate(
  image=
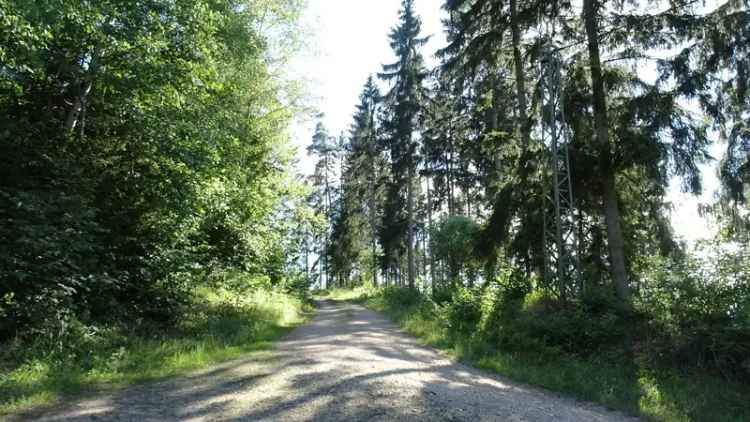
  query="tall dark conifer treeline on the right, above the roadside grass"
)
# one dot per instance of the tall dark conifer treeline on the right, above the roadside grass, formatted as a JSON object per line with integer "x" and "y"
{"x": 443, "y": 182}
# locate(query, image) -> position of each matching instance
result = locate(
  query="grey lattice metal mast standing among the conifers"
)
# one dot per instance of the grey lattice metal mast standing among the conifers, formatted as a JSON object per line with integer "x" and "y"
{"x": 560, "y": 244}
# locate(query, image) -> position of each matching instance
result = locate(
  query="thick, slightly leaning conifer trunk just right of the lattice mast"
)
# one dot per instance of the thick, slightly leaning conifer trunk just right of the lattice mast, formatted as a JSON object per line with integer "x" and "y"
{"x": 612, "y": 218}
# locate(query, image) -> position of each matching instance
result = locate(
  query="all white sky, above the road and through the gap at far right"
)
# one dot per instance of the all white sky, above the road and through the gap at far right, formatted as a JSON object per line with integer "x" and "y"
{"x": 349, "y": 41}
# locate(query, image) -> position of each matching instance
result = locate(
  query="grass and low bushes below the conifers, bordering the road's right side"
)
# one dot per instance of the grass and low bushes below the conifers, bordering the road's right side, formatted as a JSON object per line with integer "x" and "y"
{"x": 520, "y": 344}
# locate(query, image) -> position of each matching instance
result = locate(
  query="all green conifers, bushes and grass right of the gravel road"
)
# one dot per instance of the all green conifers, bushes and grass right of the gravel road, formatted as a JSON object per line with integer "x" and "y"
{"x": 629, "y": 137}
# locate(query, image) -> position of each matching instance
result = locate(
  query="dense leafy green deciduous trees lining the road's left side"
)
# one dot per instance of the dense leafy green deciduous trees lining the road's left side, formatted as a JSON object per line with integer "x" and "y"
{"x": 143, "y": 153}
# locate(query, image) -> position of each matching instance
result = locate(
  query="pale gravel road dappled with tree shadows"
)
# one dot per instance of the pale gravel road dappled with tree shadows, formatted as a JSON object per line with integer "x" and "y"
{"x": 347, "y": 364}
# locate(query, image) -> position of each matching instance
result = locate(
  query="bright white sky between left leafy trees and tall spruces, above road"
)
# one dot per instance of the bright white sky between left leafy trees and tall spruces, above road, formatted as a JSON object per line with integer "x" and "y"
{"x": 351, "y": 43}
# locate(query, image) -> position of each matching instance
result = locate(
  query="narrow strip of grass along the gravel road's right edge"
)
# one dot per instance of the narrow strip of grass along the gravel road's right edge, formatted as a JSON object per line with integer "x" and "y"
{"x": 637, "y": 388}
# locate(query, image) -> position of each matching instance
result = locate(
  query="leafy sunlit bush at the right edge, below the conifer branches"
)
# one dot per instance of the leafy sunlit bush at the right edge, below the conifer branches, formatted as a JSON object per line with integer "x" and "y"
{"x": 699, "y": 310}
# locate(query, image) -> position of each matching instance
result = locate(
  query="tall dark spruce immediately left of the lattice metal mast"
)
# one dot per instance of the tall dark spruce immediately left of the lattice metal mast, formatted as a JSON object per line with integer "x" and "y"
{"x": 478, "y": 52}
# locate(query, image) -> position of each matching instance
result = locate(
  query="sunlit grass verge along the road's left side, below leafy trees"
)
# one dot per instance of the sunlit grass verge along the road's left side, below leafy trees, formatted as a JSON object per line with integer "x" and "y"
{"x": 222, "y": 326}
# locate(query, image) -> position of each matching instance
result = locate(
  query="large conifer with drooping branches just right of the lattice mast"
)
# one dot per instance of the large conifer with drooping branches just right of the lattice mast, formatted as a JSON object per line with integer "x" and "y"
{"x": 636, "y": 134}
